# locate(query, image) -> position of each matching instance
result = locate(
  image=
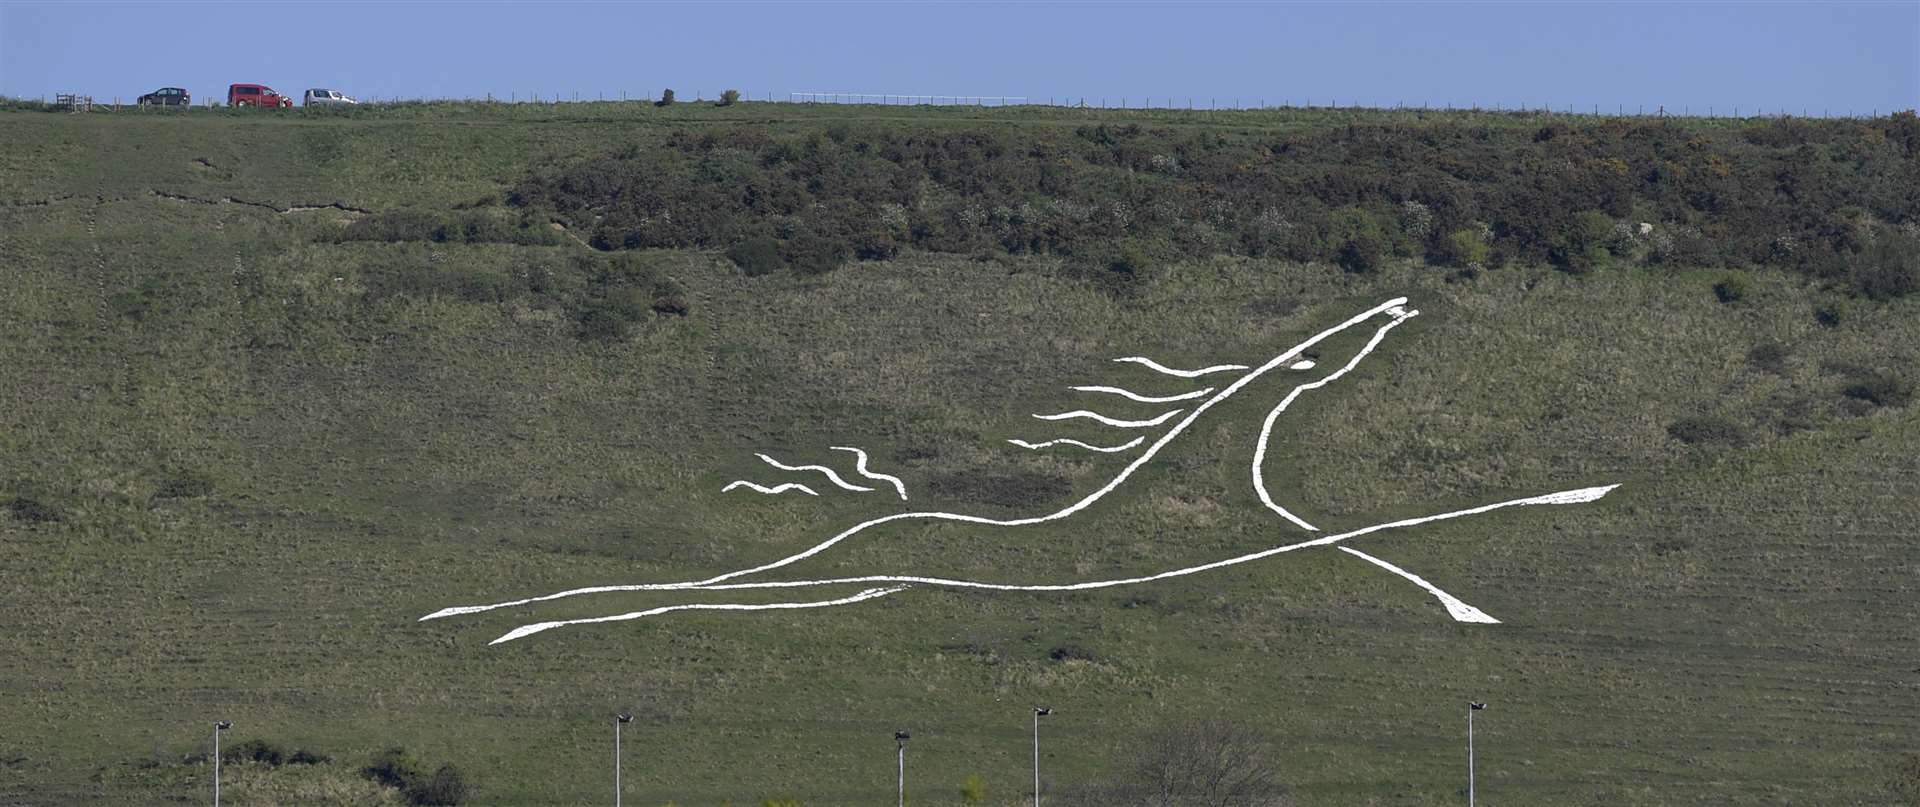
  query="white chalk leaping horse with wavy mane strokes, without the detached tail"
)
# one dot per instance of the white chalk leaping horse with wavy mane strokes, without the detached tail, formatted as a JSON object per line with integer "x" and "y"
{"x": 1381, "y": 318}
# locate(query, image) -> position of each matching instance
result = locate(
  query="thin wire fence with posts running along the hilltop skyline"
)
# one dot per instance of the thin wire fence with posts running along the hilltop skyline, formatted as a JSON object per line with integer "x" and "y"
{"x": 1070, "y": 103}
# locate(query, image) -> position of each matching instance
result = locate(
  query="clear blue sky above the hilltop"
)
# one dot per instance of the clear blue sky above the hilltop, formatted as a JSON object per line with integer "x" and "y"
{"x": 1687, "y": 57}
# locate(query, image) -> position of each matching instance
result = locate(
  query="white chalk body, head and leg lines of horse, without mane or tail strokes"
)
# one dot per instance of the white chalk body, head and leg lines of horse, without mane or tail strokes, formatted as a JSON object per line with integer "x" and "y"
{"x": 719, "y": 583}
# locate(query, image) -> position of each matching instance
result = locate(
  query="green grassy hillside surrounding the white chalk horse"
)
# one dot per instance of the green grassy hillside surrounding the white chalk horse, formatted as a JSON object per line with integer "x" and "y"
{"x": 247, "y": 441}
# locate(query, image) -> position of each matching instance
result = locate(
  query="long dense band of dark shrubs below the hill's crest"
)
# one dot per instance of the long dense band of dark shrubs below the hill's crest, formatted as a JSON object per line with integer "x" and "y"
{"x": 1812, "y": 197}
